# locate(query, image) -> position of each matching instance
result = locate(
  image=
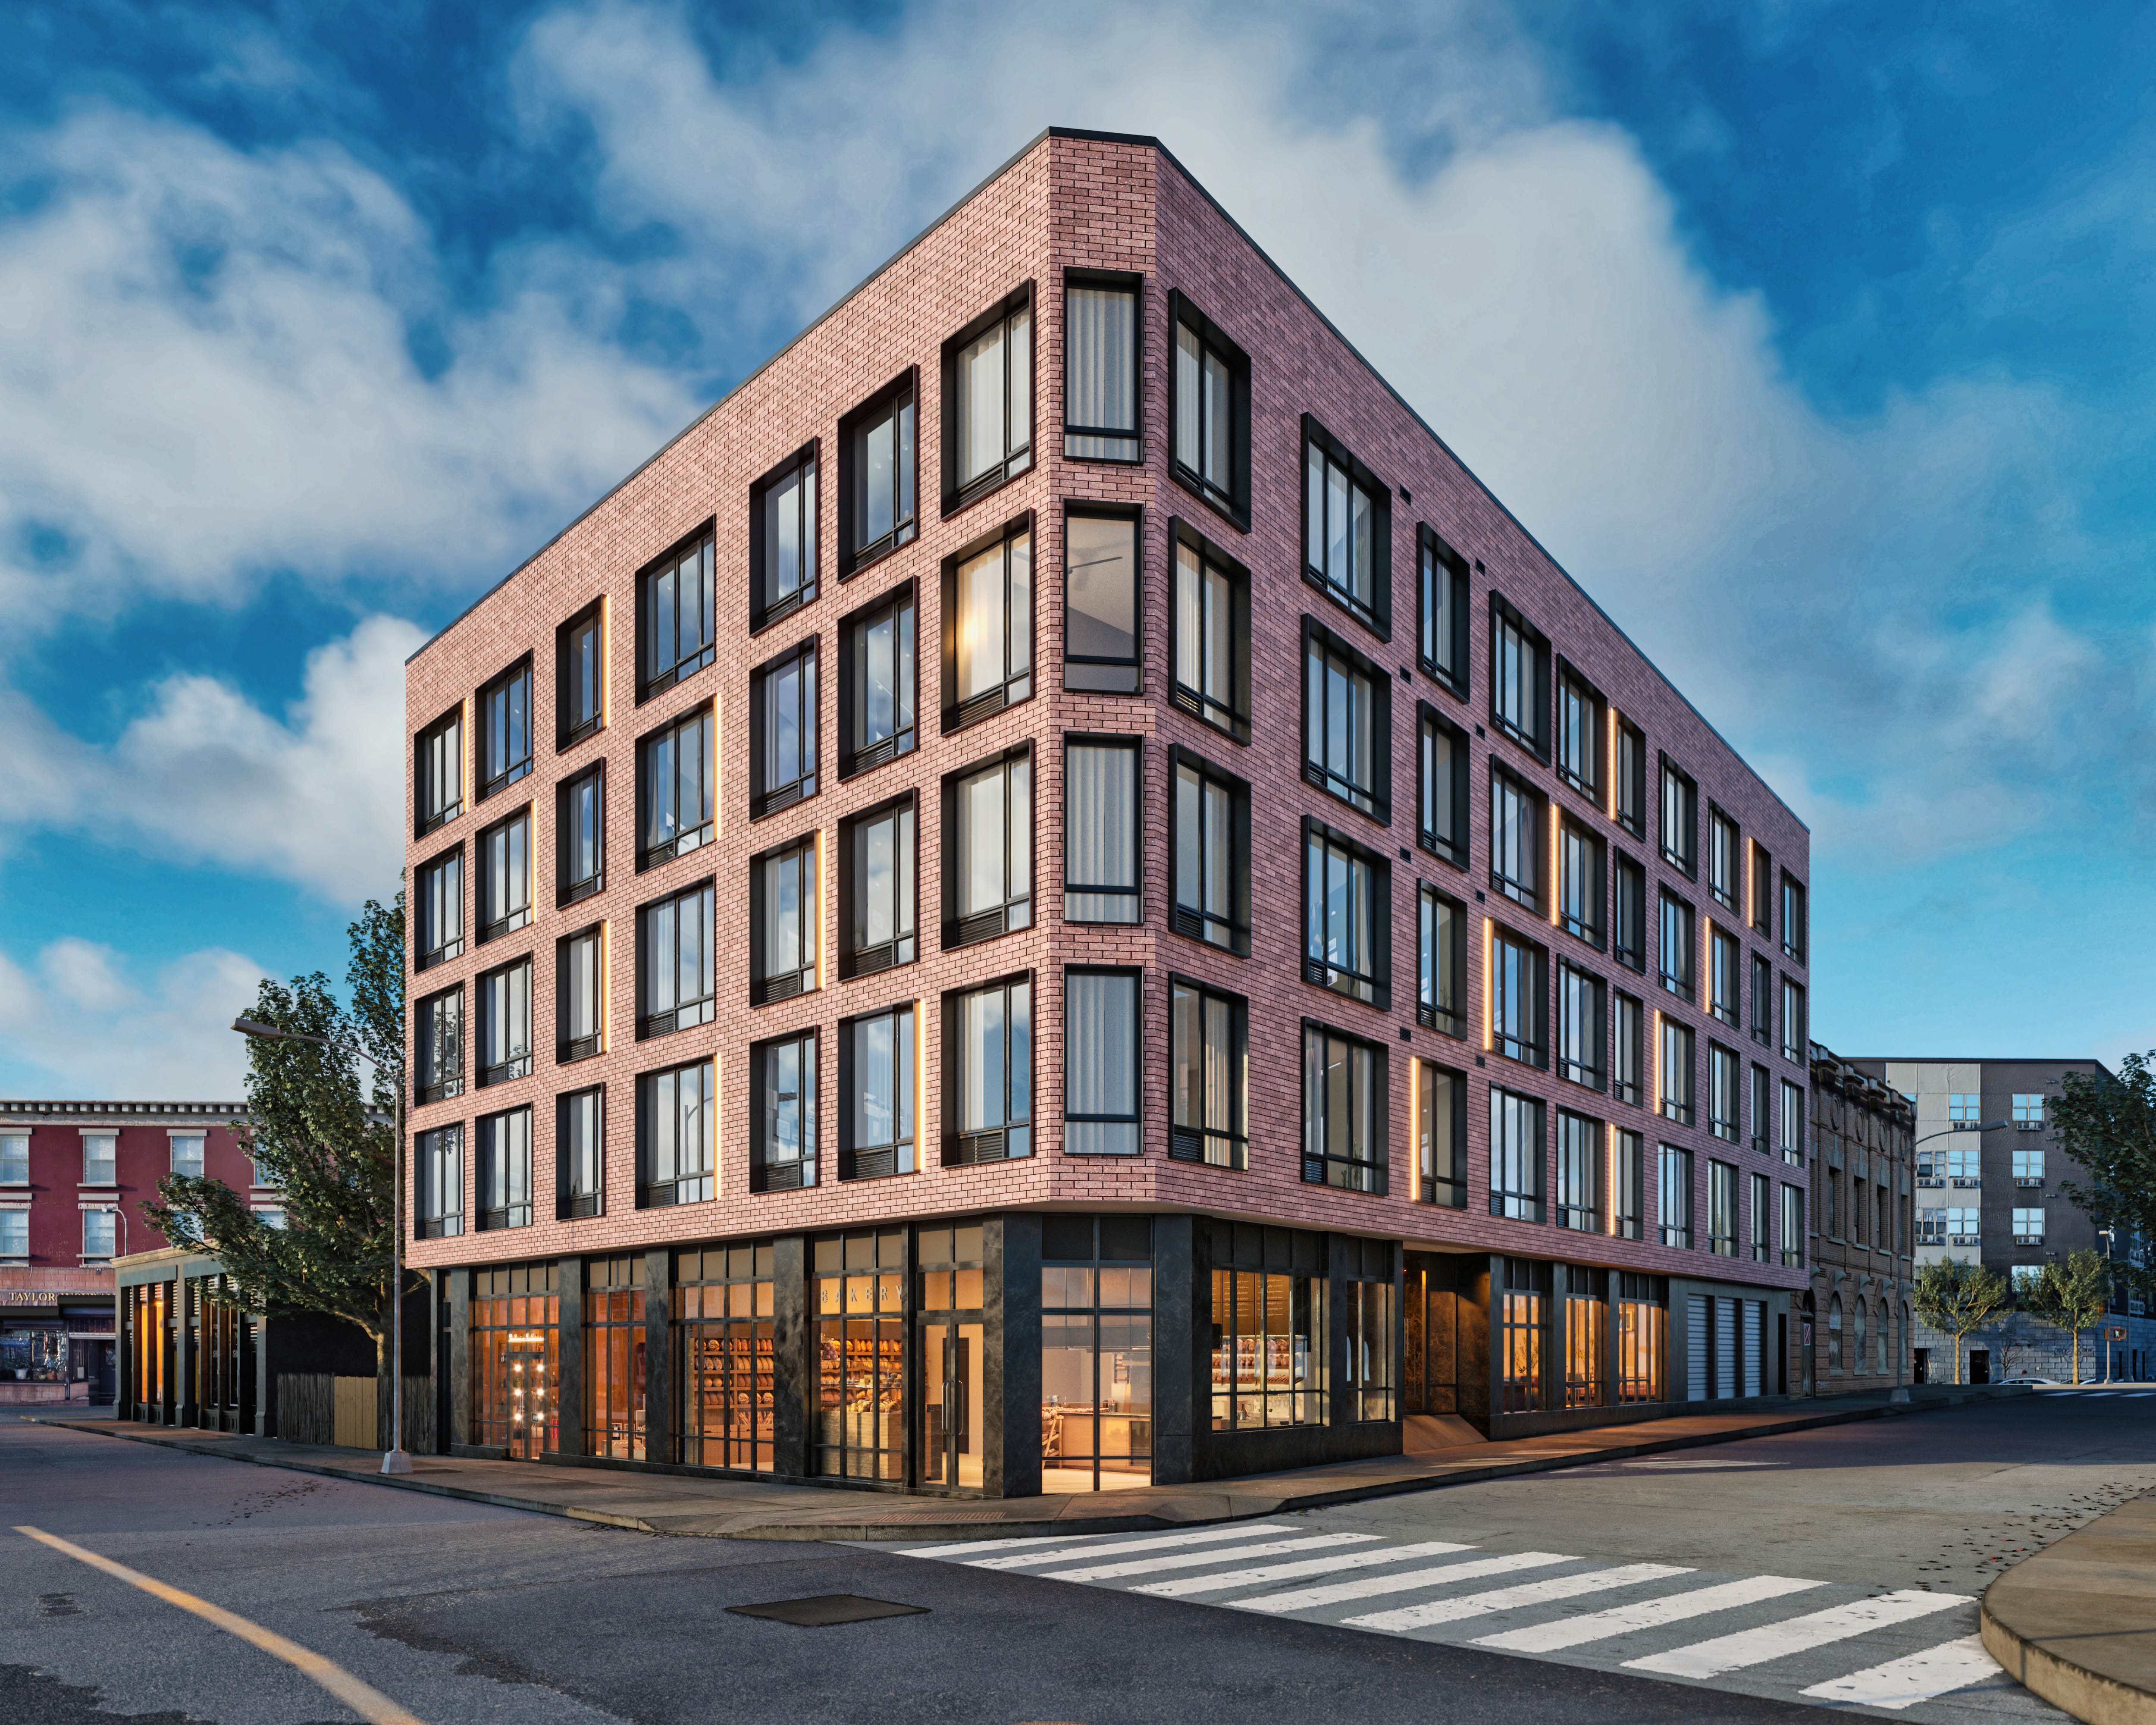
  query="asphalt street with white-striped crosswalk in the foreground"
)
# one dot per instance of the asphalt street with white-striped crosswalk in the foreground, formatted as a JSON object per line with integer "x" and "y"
{"x": 465, "y": 1614}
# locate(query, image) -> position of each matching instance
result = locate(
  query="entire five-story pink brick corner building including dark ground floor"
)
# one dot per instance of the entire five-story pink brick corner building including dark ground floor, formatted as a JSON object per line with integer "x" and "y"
{"x": 1055, "y": 896}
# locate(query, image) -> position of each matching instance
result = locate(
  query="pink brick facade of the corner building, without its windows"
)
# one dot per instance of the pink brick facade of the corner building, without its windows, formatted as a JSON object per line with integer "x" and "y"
{"x": 1114, "y": 206}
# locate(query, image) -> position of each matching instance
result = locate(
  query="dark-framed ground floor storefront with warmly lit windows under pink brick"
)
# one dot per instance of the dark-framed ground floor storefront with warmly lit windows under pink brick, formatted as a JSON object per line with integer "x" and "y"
{"x": 1066, "y": 1353}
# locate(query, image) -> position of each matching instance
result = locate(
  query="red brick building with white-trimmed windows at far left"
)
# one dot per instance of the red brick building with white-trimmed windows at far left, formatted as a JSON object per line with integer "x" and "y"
{"x": 72, "y": 1183}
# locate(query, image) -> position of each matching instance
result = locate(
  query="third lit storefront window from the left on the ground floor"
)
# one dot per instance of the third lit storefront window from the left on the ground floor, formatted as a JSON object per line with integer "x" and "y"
{"x": 725, "y": 1308}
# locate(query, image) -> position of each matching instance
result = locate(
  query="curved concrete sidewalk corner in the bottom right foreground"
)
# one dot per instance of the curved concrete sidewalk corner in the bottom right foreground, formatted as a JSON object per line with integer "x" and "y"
{"x": 2077, "y": 1620}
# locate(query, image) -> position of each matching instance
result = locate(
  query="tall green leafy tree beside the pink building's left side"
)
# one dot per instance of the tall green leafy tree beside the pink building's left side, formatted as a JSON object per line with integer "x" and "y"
{"x": 322, "y": 1129}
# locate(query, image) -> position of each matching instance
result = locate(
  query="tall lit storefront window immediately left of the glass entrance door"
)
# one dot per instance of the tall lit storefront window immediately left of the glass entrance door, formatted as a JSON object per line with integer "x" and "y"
{"x": 861, "y": 1355}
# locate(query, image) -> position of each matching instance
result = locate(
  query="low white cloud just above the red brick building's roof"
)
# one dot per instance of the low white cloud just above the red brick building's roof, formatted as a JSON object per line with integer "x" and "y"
{"x": 74, "y": 1023}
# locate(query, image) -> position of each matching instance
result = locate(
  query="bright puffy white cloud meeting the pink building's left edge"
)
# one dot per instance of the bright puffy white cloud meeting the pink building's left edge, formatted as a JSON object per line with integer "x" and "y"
{"x": 208, "y": 777}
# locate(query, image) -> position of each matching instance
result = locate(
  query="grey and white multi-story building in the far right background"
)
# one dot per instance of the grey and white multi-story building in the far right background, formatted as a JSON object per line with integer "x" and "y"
{"x": 1989, "y": 1181}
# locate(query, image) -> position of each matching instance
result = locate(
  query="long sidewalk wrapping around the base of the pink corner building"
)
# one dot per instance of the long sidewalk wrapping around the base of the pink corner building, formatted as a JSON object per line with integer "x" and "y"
{"x": 762, "y": 1510}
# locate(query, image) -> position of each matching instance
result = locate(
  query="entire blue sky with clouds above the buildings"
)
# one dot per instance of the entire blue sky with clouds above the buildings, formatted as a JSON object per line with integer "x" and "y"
{"x": 1812, "y": 337}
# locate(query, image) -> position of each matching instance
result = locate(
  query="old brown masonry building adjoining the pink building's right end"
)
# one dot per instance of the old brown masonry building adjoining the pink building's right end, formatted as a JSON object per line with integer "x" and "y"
{"x": 1857, "y": 1312}
